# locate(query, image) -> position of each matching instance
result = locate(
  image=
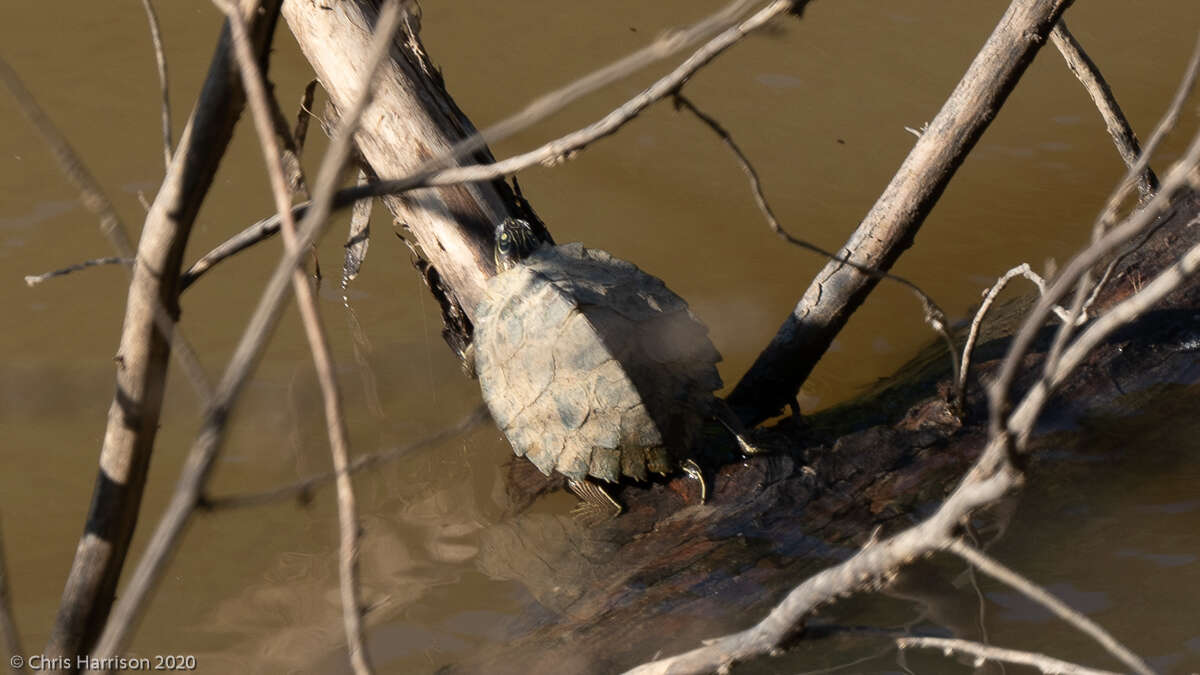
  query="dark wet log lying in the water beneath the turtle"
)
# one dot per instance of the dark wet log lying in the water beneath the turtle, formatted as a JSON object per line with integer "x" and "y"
{"x": 671, "y": 574}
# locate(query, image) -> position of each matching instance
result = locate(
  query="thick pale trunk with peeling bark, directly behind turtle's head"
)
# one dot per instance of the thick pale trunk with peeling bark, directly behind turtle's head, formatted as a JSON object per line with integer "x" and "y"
{"x": 411, "y": 122}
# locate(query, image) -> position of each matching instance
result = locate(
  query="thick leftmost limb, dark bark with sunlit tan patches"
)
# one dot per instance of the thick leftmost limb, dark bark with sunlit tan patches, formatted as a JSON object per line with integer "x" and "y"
{"x": 134, "y": 416}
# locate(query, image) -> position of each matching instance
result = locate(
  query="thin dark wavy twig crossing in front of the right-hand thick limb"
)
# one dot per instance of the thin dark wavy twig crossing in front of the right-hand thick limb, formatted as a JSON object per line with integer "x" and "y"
{"x": 934, "y": 315}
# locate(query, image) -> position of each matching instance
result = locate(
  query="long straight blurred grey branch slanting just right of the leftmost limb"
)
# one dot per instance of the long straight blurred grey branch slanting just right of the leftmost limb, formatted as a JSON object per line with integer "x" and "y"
{"x": 202, "y": 456}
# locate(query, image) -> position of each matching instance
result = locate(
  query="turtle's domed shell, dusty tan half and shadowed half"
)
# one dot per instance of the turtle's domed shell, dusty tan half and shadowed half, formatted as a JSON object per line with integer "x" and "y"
{"x": 592, "y": 367}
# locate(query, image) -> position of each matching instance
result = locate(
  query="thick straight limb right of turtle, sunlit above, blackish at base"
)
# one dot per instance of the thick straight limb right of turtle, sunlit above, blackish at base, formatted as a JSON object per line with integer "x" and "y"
{"x": 893, "y": 223}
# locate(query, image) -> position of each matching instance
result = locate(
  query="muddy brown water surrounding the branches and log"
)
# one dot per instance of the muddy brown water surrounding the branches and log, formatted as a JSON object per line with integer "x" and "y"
{"x": 821, "y": 106}
